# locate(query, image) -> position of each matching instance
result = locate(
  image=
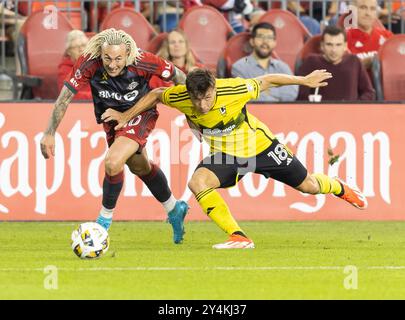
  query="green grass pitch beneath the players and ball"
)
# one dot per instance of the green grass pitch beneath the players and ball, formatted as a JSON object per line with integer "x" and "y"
{"x": 292, "y": 260}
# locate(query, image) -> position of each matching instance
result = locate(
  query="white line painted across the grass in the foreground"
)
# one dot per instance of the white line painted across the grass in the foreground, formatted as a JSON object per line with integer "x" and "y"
{"x": 264, "y": 268}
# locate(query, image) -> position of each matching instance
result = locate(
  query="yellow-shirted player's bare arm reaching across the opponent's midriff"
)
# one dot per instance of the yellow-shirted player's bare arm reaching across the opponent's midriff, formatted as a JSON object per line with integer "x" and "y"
{"x": 145, "y": 103}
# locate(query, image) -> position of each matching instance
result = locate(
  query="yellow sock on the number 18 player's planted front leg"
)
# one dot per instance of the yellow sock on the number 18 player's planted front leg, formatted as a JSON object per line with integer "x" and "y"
{"x": 216, "y": 208}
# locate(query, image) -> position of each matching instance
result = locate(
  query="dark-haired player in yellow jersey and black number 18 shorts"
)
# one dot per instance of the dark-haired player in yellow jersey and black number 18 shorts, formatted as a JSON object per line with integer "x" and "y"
{"x": 239, "y": 142}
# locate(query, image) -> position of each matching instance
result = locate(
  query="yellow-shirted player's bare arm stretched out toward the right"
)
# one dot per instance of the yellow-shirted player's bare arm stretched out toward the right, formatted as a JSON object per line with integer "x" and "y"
{"x": 315, "y": 79}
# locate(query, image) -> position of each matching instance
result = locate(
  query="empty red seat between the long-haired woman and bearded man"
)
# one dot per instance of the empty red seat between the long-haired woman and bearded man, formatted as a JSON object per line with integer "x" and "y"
{"x": 207, "y": 31}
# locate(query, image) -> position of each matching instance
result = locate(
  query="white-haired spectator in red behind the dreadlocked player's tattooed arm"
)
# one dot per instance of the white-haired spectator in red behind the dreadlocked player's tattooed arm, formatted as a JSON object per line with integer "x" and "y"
{"x": 75, "y": 43}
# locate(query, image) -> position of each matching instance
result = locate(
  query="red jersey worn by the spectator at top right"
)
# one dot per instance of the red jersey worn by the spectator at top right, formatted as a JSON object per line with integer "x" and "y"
{"x": 366, "y": 45}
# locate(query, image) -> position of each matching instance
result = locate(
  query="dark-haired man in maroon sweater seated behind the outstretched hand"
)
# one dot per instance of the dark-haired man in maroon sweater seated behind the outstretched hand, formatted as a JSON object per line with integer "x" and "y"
{"x": 350, "y": 79}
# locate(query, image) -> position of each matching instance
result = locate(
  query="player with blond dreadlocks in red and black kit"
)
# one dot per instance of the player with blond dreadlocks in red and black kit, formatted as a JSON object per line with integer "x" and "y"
{"x": 119, "y": 73}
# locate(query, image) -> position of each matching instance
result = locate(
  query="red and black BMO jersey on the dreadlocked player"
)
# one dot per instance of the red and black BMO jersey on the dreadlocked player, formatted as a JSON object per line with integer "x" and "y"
{"x": 121, "y": 92}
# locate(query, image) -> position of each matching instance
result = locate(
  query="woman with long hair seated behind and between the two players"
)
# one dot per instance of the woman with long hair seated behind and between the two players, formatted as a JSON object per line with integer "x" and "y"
{"x": 177, "y": 50}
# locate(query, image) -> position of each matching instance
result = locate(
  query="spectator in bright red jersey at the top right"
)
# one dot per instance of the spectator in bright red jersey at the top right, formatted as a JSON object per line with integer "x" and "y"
{"x": 365, "y": 40}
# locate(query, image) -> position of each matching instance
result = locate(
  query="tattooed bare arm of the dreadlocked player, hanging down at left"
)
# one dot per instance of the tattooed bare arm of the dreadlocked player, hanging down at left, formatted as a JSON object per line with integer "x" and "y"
{"x": 48, "y": 140}
